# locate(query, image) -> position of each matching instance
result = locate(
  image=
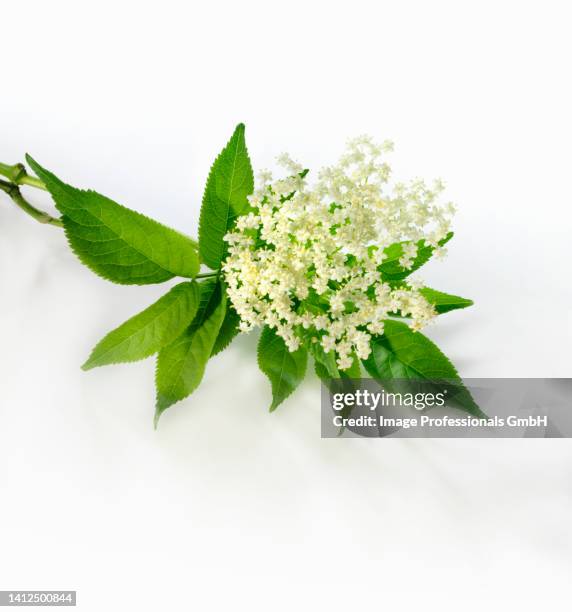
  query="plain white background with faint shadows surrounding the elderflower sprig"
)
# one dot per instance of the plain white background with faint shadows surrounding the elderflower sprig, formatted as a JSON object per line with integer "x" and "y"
{"x": 225, "y": 506}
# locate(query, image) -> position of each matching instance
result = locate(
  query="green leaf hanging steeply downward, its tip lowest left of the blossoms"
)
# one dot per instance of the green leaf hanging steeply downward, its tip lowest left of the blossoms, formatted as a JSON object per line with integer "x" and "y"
{"x": 181, "y": 364}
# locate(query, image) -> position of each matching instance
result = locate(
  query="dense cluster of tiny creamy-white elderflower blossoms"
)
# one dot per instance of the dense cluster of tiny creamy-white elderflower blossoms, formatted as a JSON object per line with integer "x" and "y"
{"x": 305, "y": 260}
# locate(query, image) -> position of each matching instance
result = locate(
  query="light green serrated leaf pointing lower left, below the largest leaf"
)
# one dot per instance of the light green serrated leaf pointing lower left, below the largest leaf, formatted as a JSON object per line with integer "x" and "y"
{"x": 150, "y": 330}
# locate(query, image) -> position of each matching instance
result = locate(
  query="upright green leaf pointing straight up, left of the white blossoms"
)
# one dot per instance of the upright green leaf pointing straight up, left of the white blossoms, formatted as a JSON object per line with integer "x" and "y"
{"x": 229, "y": 182}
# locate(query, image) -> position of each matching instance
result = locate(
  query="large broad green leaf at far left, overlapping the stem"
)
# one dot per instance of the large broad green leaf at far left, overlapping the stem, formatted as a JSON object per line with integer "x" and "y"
{"x": 117, "y": 243}
